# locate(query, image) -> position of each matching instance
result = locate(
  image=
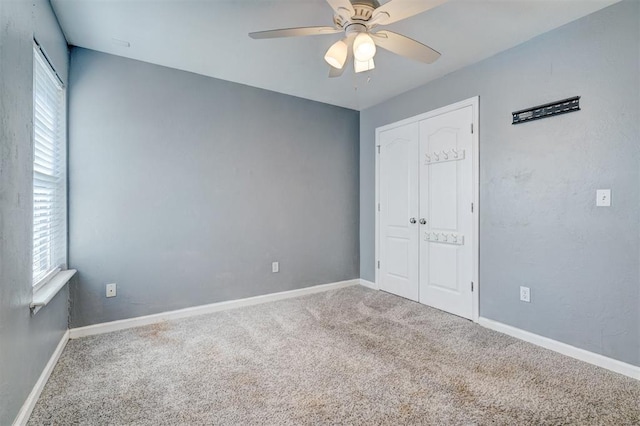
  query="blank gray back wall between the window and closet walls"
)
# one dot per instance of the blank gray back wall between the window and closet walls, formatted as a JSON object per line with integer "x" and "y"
{"x": 184, "y": 189}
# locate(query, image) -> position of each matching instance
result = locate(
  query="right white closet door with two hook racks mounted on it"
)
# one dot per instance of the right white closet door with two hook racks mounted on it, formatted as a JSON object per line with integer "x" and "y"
{"x": 446, "y": 220}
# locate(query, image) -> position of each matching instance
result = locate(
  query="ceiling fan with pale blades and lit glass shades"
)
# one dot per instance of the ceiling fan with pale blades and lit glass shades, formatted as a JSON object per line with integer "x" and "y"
{"x": 359, "y": 20}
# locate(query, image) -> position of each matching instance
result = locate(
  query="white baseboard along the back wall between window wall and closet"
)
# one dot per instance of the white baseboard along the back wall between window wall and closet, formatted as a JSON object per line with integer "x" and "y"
{"x": 108, "y": 327}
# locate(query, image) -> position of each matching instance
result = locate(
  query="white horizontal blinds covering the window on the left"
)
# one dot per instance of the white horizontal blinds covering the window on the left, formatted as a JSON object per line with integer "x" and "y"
{"x": 49, "y": 172}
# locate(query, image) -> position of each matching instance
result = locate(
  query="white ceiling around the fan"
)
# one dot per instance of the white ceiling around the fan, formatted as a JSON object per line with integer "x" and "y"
{"x": 209, "y": 37}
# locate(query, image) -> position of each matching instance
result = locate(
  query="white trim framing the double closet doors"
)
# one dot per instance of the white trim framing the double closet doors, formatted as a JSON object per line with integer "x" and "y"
{"x": 474, "y": 103}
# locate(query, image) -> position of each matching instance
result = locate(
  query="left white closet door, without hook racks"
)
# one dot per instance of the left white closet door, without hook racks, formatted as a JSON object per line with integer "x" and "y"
{"x": 398, "y": 185}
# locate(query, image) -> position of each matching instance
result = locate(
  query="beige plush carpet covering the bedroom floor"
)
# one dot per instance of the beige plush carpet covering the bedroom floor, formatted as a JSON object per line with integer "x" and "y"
{"x": 349, "y": 356}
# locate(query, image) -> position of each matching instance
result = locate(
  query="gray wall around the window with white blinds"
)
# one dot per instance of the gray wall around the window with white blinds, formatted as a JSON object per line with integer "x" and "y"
{"x": 26, "y": 341}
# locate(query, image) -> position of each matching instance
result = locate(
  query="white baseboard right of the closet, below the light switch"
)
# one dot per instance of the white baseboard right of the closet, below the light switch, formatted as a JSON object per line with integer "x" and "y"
{"x": 563, "y": 348}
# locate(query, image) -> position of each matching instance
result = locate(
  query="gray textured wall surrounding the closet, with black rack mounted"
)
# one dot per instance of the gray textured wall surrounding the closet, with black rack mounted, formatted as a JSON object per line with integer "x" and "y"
{"x": 539, "y": 226}
